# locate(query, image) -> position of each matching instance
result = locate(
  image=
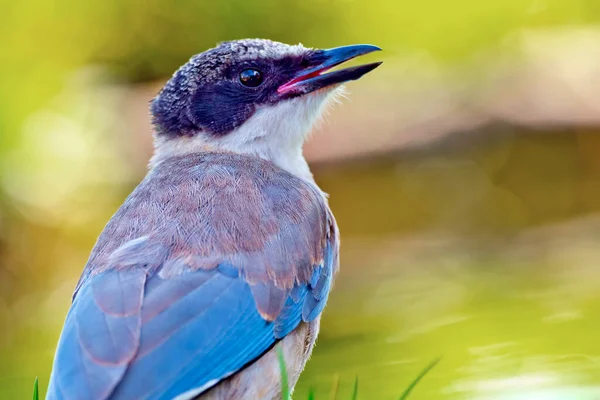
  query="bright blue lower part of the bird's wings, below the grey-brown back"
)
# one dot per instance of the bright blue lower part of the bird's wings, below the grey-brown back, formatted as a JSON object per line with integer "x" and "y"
{"x": 129, "y": 336}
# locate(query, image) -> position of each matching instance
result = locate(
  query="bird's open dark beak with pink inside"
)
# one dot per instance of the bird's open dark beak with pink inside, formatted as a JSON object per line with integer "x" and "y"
{"x": 315, "y": 77}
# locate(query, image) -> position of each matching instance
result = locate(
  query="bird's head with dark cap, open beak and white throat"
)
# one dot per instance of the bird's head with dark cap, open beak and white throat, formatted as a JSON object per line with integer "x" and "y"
{"x": 250, "y": 96}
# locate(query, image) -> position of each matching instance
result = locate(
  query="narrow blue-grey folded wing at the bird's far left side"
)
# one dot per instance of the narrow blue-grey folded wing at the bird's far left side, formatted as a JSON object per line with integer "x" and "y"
{"x": 100, "y": 337}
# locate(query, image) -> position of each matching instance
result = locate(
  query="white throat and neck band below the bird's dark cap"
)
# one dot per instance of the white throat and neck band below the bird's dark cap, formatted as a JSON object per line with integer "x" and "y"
{"x": 275, "y": 133}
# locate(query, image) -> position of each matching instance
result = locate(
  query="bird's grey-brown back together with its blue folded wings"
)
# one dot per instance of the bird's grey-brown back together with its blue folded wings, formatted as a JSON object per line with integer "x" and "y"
{"x": 178, "y": 295}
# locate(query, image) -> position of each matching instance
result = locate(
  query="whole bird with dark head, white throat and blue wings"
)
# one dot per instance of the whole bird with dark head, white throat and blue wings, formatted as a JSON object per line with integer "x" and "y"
{"x": 223, "y": 257}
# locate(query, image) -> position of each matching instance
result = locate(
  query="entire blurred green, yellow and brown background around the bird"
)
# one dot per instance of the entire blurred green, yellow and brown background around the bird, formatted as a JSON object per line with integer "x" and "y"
{"x": 464, "y": 173}
